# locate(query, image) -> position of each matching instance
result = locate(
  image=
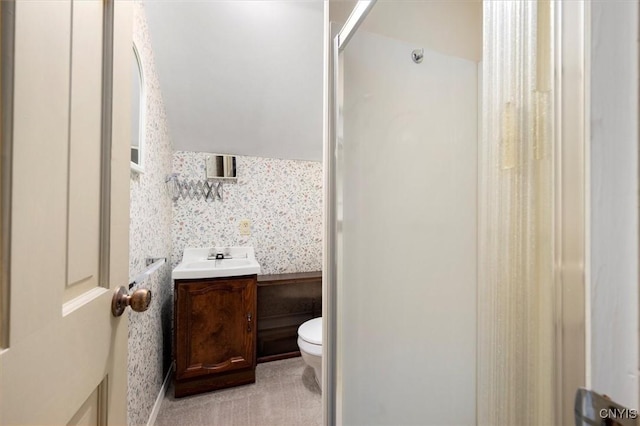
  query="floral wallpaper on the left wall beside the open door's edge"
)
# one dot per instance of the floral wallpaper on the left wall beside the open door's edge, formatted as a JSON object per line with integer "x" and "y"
{"x": 150, "y": 236}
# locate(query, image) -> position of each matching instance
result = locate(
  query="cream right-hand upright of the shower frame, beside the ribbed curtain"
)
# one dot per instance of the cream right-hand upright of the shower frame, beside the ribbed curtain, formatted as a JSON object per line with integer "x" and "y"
{"x": 571, "y": 203}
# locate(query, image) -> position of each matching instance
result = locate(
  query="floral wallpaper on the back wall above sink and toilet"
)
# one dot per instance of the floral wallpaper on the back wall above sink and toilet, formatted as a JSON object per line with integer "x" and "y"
{"x": 281, "y": 198}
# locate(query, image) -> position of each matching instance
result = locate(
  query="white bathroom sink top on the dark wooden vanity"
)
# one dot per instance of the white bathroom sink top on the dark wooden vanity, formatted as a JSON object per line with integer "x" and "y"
{"x": 197, "y": 264}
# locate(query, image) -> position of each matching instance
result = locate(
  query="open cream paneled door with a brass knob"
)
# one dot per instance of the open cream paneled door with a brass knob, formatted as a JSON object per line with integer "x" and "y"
{"x": 64, "y": 356}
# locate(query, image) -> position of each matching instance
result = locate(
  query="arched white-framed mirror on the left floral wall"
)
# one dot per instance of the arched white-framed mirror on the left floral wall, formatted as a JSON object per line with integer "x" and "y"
{"x": 137, "y": 113}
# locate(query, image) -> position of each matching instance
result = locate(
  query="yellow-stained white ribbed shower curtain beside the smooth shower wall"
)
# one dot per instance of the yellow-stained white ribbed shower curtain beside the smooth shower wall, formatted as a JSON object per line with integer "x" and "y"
{"x": 516, "y": 280}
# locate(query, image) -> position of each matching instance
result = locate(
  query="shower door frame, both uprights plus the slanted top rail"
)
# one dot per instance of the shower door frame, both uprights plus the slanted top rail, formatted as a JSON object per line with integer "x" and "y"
{"x": 571, "y": 29}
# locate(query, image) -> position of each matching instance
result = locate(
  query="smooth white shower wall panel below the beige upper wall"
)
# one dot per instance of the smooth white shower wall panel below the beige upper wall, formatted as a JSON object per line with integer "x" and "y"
{"x": 407, "y": 268}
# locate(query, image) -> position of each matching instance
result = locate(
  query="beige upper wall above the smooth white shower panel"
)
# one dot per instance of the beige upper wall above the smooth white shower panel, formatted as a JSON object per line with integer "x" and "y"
{"x": 450, "y": 27}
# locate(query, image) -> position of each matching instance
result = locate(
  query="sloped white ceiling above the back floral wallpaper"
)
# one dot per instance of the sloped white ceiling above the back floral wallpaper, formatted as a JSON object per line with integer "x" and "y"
{"x": 241, "y": 77}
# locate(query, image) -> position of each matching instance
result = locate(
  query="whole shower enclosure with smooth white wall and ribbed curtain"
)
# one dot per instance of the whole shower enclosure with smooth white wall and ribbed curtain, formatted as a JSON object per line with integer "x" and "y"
{"x": 446, "y": 291}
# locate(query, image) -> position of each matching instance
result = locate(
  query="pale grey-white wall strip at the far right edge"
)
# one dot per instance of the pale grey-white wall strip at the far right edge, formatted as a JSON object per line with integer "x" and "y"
{"x": 614, "y": 200}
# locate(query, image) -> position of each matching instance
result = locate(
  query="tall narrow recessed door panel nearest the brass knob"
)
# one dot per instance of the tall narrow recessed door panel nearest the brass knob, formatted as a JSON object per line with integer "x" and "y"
{"x": 85, "y": 139}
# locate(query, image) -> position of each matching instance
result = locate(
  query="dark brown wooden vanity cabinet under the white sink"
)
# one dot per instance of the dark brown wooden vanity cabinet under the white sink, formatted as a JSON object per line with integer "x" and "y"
{"x": 214, "y": 333}
